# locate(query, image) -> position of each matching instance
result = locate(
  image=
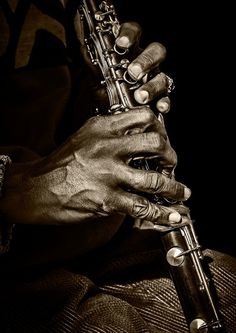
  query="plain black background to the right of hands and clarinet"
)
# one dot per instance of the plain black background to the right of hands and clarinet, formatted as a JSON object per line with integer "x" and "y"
{"x": 200, "y": 43}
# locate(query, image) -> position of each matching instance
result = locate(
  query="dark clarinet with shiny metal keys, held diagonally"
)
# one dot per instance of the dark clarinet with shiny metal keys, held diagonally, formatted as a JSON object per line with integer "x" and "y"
{"x": 183, "y": 253}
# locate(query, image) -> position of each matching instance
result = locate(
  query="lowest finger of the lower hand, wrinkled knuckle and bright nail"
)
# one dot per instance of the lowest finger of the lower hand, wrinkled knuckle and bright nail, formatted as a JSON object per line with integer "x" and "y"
{"x": 141, "y": 208}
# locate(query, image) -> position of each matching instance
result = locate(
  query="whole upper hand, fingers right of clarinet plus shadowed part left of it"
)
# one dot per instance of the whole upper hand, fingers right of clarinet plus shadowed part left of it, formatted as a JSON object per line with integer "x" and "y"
{"x": 144, "y": 66}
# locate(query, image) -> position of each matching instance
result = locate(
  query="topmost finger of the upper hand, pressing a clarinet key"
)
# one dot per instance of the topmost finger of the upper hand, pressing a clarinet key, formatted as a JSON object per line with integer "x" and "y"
{"x": 129, "y": 35}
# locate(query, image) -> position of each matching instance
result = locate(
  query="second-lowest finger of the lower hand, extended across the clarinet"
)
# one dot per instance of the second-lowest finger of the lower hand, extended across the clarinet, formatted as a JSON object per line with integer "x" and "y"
{"x": 154, "y": 183}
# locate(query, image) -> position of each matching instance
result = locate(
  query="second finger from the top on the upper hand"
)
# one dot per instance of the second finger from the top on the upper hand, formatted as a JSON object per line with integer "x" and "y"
{"x": 146, "y": 61}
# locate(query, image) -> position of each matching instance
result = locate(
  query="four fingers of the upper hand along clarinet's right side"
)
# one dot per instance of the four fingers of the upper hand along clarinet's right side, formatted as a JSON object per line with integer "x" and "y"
{"x": 146, "y": 65}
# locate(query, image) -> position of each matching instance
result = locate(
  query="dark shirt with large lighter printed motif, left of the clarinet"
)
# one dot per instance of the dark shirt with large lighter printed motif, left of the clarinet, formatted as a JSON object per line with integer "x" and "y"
{"x": 35, "y": 81}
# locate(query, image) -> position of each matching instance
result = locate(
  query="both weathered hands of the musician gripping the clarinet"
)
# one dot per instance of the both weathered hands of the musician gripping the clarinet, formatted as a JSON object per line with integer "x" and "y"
{"x": 89, "y": 176}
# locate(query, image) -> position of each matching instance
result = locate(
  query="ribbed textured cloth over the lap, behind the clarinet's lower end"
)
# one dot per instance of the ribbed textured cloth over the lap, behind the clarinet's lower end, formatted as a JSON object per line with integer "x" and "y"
{"x": 129, "y": 293}
